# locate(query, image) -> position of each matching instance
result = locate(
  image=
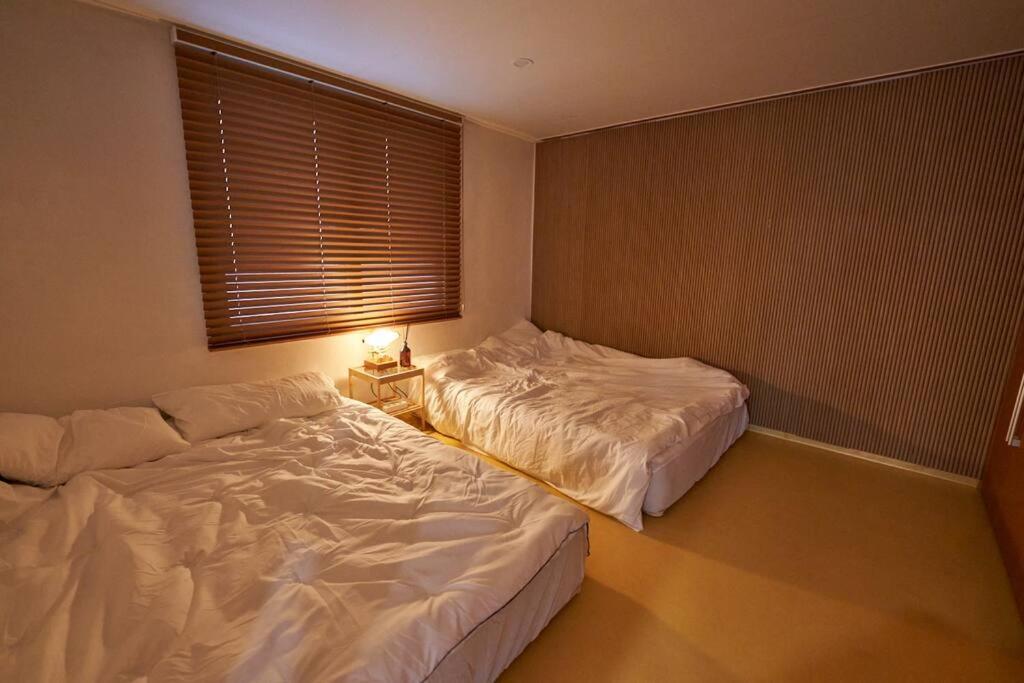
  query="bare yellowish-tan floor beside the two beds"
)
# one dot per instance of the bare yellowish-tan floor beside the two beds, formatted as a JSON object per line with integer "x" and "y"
{"x": 791, "y": 564}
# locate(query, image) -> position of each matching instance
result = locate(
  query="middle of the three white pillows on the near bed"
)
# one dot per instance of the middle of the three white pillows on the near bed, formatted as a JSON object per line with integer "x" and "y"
{"x": 113, "y": 439}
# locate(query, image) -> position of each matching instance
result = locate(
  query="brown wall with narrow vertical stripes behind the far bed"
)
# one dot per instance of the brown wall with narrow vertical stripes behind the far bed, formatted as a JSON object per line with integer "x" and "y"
{"x": 856, "y": 255}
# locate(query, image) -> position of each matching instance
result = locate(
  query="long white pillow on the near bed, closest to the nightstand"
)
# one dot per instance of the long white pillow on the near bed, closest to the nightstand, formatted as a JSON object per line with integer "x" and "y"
{"x": 206, "y": 412}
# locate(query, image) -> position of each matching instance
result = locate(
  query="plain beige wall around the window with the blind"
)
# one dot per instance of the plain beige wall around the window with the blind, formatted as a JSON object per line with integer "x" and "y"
{"x": 100, "y": 300}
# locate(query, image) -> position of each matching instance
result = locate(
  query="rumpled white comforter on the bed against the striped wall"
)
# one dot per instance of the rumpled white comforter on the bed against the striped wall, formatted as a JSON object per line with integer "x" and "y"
{"x": 586, "y": 419}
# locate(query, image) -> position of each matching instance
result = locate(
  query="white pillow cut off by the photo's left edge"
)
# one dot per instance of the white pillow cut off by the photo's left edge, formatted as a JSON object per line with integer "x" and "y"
{"x": 29, "y": 446}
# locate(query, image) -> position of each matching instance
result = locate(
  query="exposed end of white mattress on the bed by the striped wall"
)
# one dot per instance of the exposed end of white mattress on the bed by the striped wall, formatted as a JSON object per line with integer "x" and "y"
{"x": 677, "y": 468}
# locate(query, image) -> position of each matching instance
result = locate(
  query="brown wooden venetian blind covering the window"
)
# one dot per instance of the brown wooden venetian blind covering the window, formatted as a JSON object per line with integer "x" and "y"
{"x": 317, "y": 210}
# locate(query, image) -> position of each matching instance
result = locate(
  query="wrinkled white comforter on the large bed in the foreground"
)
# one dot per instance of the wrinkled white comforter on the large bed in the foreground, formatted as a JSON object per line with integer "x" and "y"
{"x": 344, "y": 547}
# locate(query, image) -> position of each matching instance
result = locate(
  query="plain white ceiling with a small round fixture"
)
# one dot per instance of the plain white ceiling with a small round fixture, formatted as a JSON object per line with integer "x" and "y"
{"x": 600, "y": 63}
